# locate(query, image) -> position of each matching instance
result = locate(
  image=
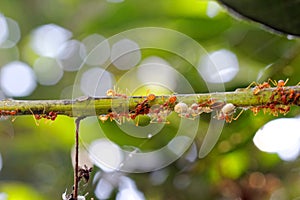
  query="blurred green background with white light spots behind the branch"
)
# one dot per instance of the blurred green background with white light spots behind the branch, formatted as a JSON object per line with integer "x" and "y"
{"x": 65, "y": 49}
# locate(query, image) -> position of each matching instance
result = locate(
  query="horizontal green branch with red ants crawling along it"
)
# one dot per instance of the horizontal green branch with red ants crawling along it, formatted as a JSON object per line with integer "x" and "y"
{"x": 261, "y": 98}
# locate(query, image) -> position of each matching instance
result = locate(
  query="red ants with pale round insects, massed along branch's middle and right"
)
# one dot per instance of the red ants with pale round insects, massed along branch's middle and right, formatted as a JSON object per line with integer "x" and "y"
{"x": 279, "y": 102}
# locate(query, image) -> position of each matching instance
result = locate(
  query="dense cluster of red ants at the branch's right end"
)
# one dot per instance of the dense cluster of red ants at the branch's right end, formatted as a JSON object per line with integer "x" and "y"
{"x": 280, "y": 100}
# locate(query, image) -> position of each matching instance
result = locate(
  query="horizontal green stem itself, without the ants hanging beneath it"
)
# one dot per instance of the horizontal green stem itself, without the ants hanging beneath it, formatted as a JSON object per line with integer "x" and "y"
{"x": 93, "y": 106}
